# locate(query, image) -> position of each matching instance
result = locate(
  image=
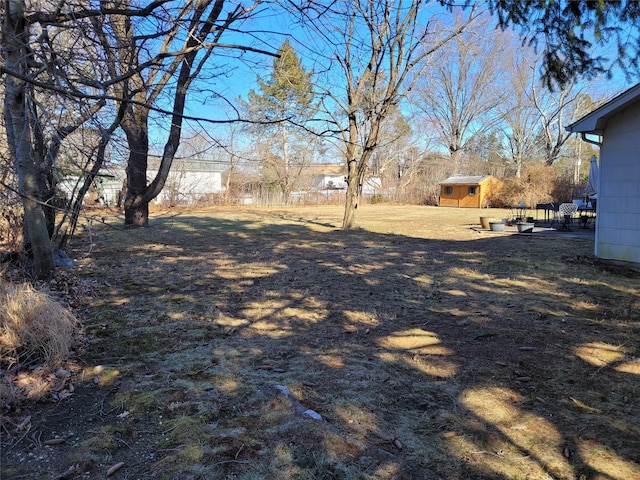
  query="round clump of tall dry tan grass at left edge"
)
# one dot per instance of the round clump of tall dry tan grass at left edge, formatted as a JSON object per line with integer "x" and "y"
{"x": 34, "y": 328}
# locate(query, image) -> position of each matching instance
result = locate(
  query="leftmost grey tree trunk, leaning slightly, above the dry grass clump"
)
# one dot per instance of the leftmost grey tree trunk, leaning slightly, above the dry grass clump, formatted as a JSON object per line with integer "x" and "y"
{"x": 19, "y": 138}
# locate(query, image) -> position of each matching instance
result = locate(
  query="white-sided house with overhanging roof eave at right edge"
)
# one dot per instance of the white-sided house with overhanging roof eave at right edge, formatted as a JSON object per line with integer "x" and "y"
{"x": 616, "y": 126}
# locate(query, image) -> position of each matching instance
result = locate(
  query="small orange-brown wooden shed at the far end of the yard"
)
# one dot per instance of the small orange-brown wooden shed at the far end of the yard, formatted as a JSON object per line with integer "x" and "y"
{"x": 468, "y": 191}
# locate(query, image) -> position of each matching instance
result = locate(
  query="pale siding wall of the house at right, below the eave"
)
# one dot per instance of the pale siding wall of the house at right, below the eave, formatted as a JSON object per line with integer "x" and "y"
{"x": 618, "y": 221}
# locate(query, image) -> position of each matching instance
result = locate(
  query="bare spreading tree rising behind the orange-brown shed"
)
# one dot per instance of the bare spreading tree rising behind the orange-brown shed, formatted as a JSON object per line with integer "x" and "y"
{"x": 462, "y": 86}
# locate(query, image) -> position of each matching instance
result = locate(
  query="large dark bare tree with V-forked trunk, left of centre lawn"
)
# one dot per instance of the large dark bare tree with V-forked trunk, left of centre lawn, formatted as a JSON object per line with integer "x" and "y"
{"x": 162, "y": 57}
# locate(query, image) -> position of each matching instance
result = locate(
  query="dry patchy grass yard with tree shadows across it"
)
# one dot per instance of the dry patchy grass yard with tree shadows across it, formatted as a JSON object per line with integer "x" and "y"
{"x": 428, "y": 348}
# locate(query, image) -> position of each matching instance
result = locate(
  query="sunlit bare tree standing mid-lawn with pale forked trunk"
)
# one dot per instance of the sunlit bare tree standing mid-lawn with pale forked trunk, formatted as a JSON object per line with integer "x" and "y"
{"x": 378, "y": 47}
